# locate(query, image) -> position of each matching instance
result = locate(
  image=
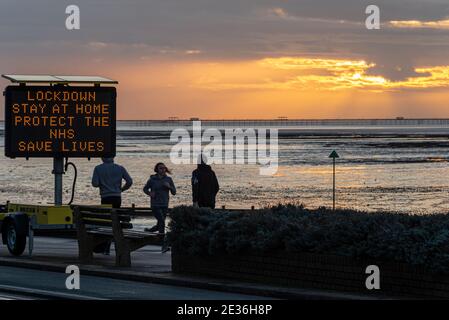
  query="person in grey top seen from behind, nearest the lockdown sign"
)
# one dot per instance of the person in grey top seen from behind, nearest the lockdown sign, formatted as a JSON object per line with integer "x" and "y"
{"x": 108, "y": 177}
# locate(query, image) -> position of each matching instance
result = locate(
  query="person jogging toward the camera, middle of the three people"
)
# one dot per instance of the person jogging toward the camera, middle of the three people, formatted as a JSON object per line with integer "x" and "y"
{"x": 159, "y": 187}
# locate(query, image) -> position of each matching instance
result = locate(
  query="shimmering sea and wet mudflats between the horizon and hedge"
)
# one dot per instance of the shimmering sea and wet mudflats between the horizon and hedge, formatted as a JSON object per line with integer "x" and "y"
{"x": 398, "y": 165}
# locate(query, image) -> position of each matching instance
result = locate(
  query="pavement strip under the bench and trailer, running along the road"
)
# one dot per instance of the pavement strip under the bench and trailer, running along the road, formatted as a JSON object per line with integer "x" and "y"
{"x": 149, "y": 265}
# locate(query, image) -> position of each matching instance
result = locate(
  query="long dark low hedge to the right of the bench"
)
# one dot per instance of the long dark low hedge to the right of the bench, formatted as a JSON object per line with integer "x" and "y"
{"x": 420, "y": 240}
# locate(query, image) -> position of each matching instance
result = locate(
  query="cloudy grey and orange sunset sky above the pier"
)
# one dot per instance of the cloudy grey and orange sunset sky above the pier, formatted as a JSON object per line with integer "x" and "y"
{"x": 251, "y": 59}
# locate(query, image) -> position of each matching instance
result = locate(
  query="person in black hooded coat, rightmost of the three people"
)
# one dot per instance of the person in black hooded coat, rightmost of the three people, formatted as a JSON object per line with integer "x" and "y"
{"x": 204, "y": 184}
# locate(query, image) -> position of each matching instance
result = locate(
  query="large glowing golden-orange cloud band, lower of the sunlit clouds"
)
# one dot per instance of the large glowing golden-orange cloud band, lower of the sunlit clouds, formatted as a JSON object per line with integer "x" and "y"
{"x": 296, "y": 73}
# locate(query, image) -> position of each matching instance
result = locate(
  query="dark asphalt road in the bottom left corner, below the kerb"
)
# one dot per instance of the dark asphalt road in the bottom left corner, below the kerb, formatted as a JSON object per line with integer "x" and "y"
{"x": 20, "y": 283}
